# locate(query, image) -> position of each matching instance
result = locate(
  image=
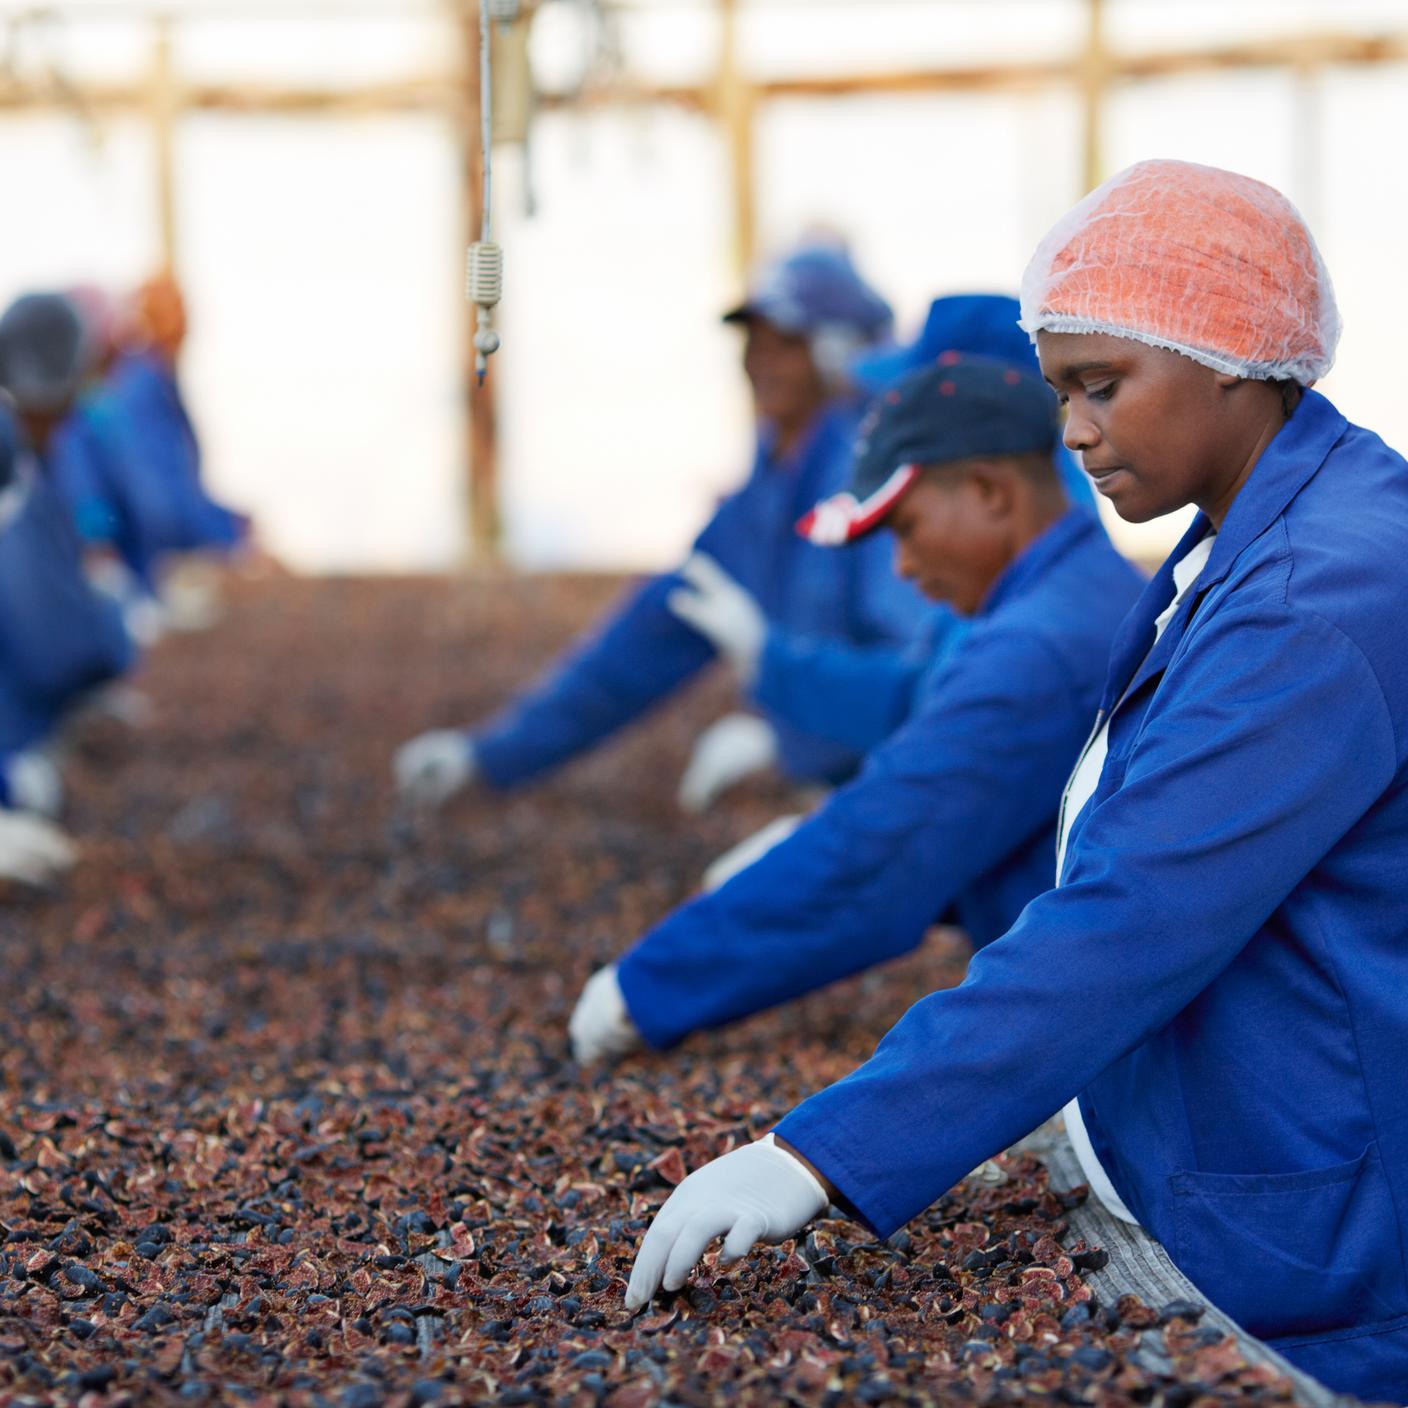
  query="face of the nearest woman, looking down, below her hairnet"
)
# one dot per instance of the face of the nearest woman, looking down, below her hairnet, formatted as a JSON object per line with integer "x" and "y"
{"x": 1155, "y": 430}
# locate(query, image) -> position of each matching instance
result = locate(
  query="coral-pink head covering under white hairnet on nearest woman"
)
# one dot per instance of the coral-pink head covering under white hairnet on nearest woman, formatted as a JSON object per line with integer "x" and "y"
{"x": 1206, "y": 263}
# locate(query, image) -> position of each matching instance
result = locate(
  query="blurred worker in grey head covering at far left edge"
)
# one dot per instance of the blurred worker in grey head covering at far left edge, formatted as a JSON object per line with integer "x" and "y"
{"x": 60, "y": 639}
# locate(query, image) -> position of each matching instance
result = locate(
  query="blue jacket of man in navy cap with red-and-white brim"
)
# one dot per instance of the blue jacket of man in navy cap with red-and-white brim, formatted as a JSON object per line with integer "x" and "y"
{"x": 955, "y": 816}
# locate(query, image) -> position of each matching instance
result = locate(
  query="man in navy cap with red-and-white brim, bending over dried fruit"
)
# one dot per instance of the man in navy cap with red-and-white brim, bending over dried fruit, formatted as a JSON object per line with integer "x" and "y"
{"x": 954, "y": 817}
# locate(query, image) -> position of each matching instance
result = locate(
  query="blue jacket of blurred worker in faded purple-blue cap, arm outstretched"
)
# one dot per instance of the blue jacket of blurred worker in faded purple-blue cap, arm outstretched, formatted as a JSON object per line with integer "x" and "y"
{"x": 643, "y": 653}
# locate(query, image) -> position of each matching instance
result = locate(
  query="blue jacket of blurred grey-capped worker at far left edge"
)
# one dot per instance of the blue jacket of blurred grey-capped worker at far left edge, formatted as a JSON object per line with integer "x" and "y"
{"x": 58, "y": 637}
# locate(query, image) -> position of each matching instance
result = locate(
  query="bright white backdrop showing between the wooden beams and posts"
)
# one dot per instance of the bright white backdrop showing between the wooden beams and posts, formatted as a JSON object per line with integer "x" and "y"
{"x": 325, "y": 272}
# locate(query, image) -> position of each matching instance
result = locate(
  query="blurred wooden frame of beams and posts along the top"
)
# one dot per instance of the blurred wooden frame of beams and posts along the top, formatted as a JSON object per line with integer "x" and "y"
{"x": 733, "y": 99}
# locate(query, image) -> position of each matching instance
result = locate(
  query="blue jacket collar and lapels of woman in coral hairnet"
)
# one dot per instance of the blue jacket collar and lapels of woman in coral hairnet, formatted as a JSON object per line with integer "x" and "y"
{"x": 1286, "y": 467}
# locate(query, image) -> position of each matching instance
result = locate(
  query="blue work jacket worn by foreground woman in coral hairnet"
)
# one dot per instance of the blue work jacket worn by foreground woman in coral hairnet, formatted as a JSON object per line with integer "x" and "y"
{"x": 1223, "y": 976}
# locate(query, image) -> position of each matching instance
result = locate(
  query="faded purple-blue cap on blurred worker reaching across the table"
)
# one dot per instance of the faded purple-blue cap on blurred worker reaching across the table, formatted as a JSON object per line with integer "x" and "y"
{"x": 813, "y": 289}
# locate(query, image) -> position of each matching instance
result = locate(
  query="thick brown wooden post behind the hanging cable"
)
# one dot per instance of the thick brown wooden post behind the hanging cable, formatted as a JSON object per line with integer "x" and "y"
{"x": 482, "y": 529}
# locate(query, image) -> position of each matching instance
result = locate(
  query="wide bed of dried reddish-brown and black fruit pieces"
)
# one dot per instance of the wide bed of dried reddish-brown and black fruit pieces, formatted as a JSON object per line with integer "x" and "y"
{"x": 287, "y": 1112}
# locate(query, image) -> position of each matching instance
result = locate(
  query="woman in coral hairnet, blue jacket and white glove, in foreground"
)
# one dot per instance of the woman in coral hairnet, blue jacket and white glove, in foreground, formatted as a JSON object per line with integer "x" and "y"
{"x": 1219, "y": 986}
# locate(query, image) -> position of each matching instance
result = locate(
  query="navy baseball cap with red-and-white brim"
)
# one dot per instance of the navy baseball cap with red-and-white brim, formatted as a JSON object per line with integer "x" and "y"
{"x": 960, "y": 408}
